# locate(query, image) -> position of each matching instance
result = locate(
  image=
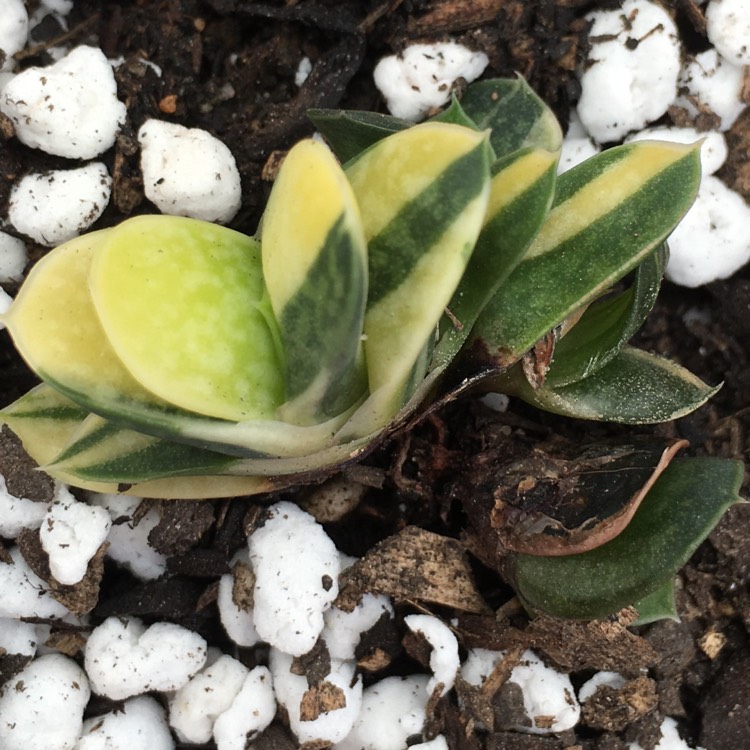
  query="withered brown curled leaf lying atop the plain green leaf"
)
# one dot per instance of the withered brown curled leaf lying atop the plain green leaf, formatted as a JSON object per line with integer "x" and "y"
{"x": 549, "y": 504}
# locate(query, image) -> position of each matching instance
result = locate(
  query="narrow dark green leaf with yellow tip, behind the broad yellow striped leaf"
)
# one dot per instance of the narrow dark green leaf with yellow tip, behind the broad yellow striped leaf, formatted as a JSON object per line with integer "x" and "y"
{"x": 521, "y": 192}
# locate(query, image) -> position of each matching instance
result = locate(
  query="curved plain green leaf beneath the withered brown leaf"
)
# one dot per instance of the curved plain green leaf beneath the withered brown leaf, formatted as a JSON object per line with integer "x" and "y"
{"x": 677, "y": 515}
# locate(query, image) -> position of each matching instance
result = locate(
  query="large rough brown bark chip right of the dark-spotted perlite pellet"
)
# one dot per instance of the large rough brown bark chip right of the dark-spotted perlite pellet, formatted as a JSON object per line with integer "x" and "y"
{"x": 415, "y": 565}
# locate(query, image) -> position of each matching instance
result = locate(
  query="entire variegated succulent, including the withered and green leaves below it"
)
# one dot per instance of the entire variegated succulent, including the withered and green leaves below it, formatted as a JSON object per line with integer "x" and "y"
{"x": 183, "y": 359}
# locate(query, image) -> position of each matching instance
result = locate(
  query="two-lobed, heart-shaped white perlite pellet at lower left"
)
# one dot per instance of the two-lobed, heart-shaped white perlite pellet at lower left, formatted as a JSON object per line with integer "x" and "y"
{"x": 123, "y": 658}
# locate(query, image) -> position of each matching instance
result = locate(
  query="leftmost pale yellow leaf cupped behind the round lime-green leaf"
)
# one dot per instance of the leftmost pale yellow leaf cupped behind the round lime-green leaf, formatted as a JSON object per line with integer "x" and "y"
{"x": 56, "y": 329}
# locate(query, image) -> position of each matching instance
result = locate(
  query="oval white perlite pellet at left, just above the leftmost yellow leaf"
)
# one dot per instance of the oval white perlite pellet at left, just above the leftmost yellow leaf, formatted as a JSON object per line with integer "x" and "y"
{"x": 56, "y": 206}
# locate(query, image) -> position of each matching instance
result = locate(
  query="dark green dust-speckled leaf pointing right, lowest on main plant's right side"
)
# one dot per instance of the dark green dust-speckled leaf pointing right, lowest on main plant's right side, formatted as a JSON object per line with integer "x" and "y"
{"x": 634, "y": 387}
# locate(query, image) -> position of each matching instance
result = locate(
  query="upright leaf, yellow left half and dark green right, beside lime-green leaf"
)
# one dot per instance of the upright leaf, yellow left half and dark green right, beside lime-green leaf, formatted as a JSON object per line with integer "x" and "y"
{"x": 315, "y": 269}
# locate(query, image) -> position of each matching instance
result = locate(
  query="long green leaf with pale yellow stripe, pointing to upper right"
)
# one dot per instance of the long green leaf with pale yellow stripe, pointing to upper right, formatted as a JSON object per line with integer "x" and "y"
{"x": 609, "y": 214}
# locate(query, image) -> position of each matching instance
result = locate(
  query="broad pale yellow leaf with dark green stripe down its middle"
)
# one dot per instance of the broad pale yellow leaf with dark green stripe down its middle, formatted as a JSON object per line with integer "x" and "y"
{"x": 421, "y": 230}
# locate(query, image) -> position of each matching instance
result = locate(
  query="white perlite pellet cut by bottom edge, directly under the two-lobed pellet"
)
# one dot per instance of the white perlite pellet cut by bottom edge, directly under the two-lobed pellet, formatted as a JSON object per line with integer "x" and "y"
{"x": 139, "y": 724}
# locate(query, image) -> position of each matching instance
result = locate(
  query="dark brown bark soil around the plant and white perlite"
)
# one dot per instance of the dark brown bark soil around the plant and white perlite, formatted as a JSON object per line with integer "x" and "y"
{"x": 228, "y": 66}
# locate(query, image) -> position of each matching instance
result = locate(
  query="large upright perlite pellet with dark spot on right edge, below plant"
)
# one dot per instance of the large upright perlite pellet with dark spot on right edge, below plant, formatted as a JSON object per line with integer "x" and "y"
{"x": 296, "y": 569}
